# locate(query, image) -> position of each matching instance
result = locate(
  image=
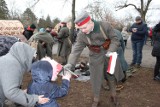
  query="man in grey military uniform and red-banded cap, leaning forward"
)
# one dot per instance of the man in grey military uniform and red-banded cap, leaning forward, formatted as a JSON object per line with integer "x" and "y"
{"x": 91, "y": 35}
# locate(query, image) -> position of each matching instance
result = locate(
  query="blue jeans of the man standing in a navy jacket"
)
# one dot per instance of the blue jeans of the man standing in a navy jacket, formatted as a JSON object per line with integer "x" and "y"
{"x": 137, "y": 47}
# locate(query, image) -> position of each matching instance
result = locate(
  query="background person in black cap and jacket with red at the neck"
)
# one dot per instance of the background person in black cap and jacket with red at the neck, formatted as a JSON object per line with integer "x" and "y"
{"x": 28, "y": 32}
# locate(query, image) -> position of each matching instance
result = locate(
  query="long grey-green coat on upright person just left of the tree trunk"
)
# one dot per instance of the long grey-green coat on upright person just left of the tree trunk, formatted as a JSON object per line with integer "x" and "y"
{"x": 64, "y": 44}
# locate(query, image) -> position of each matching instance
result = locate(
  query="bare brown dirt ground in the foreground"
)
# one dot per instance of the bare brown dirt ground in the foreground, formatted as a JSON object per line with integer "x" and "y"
{"x": 140, "y": 90}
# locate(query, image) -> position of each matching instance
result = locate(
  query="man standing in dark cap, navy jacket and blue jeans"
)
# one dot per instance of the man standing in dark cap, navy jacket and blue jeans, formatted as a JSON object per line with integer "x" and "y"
{"x": 138, "y": 29}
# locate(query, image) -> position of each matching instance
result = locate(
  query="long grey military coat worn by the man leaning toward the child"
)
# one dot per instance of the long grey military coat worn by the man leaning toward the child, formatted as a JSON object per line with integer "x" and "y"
{"x": 96, "y": 60}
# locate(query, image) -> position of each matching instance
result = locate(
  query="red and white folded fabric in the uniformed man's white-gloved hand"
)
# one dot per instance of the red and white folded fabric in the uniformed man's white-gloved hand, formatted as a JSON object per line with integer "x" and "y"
{"x": 112, "y": 63}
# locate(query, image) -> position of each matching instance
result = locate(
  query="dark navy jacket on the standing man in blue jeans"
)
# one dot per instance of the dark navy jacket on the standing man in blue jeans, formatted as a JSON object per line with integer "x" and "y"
{"x": 141, "y": 31}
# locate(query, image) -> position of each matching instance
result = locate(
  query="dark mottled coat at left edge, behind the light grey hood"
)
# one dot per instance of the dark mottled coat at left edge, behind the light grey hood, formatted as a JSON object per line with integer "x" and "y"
{"x": 5, "y": 43}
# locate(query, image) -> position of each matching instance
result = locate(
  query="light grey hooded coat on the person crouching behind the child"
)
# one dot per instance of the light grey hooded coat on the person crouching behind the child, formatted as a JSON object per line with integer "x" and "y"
{"x": 13, "y": 66}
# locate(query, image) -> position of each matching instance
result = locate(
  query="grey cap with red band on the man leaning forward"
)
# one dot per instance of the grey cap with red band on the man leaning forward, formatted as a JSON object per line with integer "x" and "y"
{"x": 82, "y": 18}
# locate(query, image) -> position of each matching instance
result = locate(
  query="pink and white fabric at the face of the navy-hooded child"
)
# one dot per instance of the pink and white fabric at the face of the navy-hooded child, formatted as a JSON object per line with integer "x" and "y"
{"x": 56, "y": 67}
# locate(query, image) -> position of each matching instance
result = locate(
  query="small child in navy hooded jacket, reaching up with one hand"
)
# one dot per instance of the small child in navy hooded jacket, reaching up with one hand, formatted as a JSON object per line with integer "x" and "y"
{"x": 41, "y": 83}
